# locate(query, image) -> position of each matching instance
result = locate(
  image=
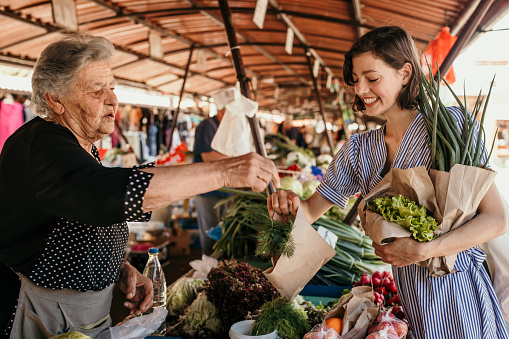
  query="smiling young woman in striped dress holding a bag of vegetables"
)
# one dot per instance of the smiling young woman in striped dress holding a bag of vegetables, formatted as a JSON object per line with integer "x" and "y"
{"x": 383, "y": 69}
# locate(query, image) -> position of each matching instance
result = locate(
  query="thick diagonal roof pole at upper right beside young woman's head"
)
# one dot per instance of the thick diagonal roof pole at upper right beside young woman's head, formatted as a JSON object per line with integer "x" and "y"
{"x": 465, "y": 35}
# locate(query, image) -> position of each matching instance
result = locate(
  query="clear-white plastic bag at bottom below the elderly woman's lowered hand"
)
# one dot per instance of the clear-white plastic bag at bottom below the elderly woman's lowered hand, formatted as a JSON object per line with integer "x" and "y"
{"x": 138, "y": 327}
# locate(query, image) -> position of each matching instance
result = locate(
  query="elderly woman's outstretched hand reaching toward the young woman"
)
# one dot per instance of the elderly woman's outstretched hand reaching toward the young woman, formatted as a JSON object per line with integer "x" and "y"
{"x": 250, "y": 170}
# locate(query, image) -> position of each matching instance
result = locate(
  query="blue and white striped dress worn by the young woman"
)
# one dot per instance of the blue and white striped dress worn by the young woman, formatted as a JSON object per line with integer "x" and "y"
{"x": 458, "y": 305}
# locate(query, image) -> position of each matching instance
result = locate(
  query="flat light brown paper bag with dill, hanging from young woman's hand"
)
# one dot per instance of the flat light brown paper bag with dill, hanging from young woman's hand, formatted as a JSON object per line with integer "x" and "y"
{"x": 290, "y": 275}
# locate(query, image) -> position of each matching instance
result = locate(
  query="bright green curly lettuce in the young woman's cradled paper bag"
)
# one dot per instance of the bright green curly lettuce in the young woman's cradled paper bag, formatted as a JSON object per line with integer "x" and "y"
{"x": 406, "y": 213}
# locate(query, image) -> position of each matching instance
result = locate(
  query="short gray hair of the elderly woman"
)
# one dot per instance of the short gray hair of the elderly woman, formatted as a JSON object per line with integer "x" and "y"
{"x": 59, "y": 63}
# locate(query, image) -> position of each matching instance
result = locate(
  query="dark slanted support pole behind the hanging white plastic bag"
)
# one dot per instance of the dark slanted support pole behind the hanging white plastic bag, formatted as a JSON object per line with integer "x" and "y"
{"x": 241, "y": 77}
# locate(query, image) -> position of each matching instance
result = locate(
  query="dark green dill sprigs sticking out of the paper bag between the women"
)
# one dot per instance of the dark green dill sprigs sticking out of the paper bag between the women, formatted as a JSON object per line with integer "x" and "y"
{"x": 275, "y": 239}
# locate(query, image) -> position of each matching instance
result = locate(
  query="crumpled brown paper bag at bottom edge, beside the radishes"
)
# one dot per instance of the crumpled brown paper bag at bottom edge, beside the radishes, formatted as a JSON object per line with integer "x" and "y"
{"x": 358, "y": 310}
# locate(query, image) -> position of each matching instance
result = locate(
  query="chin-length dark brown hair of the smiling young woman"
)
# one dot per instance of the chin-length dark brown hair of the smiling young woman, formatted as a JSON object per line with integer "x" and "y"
{"x": 395, "y": 47}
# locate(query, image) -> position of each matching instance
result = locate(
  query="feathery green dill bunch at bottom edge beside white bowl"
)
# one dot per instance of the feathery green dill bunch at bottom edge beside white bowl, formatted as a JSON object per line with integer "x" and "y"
{"x": 284, "y": 316}
